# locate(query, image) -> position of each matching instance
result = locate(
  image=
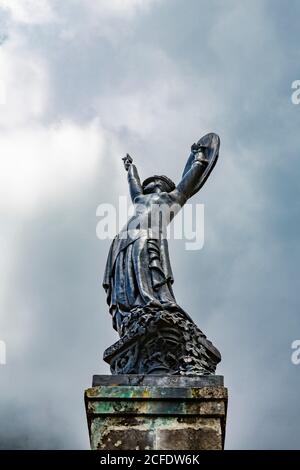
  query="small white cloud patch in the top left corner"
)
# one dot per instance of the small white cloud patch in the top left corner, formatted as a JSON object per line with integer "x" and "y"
{"x": 29, "y": 11}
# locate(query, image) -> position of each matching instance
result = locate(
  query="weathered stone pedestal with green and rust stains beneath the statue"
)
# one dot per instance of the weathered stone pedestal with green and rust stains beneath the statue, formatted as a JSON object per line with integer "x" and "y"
{"x": 144, "y": 412}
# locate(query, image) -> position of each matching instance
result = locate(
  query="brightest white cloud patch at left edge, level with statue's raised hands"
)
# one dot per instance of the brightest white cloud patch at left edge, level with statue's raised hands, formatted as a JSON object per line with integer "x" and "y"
{"x": 41, "y": 163}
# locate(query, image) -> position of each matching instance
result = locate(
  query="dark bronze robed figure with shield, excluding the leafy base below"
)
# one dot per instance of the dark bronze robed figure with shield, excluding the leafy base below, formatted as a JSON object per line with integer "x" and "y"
{"x": 138, "y": 271}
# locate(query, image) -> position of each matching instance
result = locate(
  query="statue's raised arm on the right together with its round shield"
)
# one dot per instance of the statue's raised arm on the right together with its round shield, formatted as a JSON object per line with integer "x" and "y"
{"x": 203, "y": 157}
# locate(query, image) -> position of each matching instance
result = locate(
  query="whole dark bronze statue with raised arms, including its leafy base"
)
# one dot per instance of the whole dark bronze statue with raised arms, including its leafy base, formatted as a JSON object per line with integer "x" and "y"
{"x": 157, "y": 335}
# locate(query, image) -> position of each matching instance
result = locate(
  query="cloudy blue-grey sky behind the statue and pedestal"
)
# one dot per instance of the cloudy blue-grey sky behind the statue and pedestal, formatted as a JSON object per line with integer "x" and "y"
{"x": 81, "y": 84}
